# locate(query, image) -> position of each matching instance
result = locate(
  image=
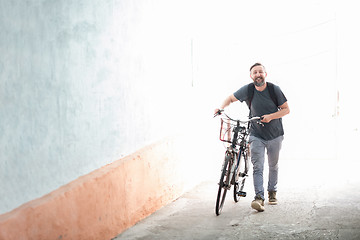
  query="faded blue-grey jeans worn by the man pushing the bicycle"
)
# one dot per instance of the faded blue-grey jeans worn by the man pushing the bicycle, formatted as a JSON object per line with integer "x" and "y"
{"x": 257, "y": 151}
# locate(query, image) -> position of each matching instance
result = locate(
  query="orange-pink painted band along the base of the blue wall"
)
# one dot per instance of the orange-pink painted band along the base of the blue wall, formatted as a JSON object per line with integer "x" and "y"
{"x": 104, "y": 203}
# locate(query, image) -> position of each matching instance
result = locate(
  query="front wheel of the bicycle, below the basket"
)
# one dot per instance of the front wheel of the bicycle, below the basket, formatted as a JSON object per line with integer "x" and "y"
{"x": 224, "y": 181}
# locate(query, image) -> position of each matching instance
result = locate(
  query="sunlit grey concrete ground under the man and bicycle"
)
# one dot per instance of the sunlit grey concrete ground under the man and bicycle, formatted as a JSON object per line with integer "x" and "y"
{"x": 317, "y": 200}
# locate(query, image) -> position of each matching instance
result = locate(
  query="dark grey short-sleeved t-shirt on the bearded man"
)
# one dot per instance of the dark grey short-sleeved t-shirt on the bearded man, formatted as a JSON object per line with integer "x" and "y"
{"x": 262, "y": 104}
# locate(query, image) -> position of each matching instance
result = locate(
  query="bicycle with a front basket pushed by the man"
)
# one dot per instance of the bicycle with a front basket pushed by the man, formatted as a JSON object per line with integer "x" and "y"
{"x": 236, "y": 162}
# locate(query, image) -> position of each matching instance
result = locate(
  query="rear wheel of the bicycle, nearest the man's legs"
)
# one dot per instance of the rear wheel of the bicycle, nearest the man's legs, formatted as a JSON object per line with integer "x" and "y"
{"x": 240, "y": 176}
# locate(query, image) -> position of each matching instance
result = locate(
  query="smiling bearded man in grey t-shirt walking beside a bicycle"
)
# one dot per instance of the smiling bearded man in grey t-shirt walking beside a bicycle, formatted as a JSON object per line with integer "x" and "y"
{"x": 266, "y": 100}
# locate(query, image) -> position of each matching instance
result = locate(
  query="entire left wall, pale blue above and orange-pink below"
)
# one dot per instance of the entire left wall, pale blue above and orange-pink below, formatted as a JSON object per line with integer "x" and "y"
{"x": 90, "y": 92}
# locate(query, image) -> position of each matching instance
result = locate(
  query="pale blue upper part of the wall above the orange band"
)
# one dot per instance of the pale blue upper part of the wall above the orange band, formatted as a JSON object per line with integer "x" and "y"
{"x": 82, "y": 85}
